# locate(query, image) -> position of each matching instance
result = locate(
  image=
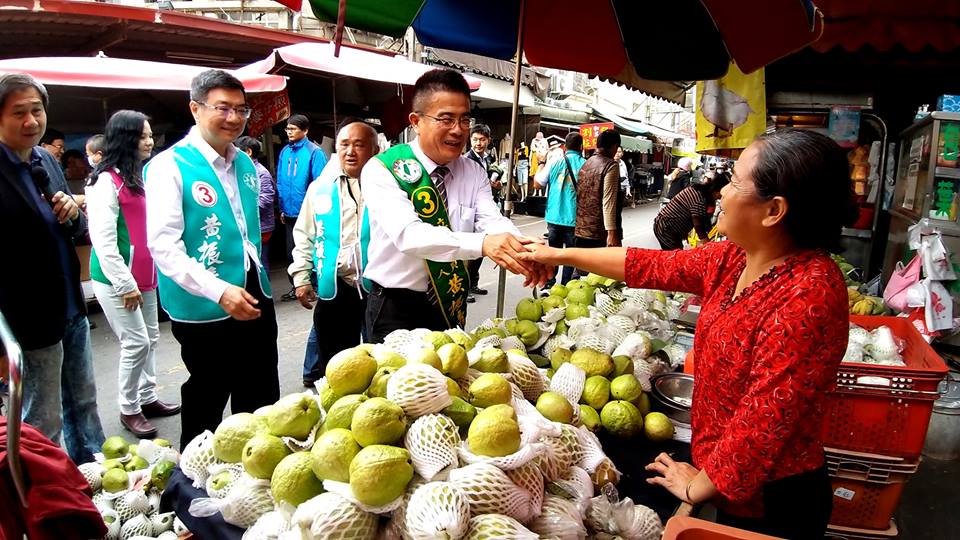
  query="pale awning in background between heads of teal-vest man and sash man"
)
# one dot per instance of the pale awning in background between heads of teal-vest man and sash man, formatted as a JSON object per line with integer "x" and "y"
{"x": 318, "y": 57}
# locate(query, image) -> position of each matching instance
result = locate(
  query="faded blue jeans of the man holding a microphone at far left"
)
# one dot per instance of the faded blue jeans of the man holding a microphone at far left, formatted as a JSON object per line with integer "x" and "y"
{"x": 60, "y": 392}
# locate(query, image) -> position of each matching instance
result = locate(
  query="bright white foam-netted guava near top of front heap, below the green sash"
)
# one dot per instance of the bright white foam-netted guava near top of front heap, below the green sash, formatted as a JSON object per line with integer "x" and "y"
{"x": 419, "y": 389}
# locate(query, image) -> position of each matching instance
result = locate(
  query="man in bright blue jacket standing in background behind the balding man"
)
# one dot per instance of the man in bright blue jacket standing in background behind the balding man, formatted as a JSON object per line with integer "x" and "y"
{"x": 300, "y": 163}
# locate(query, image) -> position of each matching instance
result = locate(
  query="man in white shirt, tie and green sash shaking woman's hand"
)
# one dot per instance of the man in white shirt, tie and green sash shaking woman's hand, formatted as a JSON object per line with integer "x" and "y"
{"x": 431, "y": 210}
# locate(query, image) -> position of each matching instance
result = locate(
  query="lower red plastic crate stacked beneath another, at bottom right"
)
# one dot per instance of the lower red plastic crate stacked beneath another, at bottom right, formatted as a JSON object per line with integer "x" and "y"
{"x": 866, "y": 488}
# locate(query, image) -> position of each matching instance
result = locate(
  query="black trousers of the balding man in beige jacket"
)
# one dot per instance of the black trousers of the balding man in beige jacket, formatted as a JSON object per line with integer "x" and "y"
{"x": 340, "y": 325}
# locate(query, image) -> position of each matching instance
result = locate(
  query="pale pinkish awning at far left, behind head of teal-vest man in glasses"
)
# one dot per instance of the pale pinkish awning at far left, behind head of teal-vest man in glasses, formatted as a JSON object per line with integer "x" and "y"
{"x": 120, "y": 73}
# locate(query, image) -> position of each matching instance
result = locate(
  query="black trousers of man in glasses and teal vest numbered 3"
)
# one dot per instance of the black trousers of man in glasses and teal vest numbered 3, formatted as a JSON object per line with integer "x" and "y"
{"x": 229, "y": 359}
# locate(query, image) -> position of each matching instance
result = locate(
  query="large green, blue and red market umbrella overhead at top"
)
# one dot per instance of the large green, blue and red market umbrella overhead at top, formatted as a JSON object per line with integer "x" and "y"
{"x": 618, "y": 41}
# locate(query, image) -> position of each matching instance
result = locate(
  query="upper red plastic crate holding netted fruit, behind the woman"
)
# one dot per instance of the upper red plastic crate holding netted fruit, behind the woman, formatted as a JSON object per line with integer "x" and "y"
{"x": 885, "y": 409}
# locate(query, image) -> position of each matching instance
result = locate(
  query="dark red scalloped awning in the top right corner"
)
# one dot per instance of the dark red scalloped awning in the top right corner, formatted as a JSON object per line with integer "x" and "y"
{"x": 883, "y": 24}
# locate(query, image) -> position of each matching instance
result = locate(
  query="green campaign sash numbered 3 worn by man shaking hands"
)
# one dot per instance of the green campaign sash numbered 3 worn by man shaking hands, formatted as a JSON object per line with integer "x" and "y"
{"x": 450, "y": 280}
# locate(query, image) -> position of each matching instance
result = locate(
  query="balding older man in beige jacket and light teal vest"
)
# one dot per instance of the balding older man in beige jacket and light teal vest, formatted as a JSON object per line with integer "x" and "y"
{"x": 331, "y": 240}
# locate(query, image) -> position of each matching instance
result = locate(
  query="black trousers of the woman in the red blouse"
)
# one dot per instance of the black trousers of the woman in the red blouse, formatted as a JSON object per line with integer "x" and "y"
{"x": 797, "y": 507}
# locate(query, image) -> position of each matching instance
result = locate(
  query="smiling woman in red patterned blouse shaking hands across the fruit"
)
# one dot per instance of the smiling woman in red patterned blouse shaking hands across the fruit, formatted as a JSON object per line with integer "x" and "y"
{"x": 770, "y": 336}
